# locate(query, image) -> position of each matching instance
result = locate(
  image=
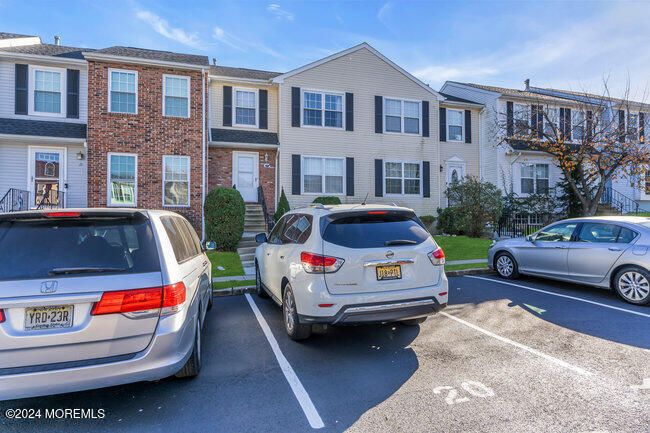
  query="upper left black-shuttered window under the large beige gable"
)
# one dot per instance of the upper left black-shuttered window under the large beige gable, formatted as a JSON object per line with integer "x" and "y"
{"x": 322, "y": 109}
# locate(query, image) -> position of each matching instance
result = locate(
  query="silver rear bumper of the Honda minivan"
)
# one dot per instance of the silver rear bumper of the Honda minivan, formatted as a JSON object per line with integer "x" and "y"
{"x": 166, "y": 354}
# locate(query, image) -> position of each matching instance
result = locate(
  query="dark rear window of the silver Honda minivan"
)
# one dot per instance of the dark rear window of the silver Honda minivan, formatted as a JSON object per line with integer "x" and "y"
{"x": 47, "y": 248}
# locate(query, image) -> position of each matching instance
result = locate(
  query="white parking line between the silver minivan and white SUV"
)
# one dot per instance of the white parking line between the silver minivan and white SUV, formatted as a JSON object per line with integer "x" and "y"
{"x": 299, "y": 391}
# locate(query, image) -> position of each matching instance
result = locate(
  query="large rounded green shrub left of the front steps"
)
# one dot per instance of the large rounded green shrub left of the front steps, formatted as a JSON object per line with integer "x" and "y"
{"x": 224, "y": 210}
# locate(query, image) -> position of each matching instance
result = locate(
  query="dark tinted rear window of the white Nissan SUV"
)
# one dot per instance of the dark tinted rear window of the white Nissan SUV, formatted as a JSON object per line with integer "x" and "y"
{"x": 375, "y": 230}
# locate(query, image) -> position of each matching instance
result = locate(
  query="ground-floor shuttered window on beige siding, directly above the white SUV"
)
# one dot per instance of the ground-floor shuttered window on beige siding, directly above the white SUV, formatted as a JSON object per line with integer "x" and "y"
{"x": 322, "y": 175}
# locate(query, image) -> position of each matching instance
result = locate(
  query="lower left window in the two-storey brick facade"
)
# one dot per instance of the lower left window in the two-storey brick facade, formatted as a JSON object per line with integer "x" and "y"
{"x": 122, "y": 179}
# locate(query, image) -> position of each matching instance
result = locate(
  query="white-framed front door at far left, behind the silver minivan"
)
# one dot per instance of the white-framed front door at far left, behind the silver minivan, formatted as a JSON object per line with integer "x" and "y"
{"x": 46, "y": 176}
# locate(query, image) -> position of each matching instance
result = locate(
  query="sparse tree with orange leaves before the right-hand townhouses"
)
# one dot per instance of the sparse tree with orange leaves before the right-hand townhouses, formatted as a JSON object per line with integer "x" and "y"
{"x": 593, "y": 138}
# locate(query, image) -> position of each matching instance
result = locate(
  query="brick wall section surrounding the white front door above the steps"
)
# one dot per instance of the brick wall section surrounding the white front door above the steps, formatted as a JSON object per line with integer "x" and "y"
{"x": 220, "y": 171}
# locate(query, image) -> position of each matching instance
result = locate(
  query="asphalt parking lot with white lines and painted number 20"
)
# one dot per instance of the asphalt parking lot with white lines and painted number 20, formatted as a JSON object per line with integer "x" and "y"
{"x": 527, "y": 355}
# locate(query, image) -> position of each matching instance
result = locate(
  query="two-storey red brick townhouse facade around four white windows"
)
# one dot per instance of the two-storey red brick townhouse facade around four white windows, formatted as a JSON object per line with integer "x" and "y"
{"x": 148, "y": 134}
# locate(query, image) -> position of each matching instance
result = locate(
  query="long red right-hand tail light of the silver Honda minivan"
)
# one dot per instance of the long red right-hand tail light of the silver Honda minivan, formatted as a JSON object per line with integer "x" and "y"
{"x": 170, "y": 298}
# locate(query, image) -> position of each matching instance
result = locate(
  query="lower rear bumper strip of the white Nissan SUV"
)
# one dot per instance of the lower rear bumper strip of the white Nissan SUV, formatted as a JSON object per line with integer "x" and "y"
{"x": 379, "y": 312}
